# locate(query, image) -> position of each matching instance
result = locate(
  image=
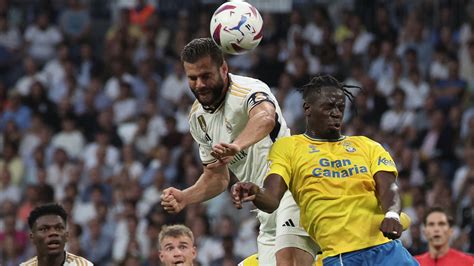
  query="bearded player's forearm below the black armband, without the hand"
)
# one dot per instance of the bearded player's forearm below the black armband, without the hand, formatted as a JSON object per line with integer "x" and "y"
{"x": 258, "y": 126}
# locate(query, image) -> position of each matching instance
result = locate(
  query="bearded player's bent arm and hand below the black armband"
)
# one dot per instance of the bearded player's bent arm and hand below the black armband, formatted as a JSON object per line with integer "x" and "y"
{"x": 261, "y": 123}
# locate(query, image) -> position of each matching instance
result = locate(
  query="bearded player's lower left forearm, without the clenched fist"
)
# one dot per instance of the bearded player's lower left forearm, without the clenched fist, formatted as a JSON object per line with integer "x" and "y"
{"x": 207, "y": 187}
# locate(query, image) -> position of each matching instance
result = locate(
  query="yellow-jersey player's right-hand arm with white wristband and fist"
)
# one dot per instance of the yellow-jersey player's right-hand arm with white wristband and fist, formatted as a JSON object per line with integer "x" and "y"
{"x": 389, "y": 198}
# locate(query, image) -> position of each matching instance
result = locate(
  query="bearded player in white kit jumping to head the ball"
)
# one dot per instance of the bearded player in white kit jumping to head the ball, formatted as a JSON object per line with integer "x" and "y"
{"x": 243, "y": 113}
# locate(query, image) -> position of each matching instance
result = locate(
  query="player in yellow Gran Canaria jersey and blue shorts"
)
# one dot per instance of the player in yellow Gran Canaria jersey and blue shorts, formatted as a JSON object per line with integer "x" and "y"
{"x": 345, "y": 186}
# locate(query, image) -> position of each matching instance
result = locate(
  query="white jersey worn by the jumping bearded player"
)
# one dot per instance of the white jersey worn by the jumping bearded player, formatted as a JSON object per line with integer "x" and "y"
{"x": 229, "y": 120}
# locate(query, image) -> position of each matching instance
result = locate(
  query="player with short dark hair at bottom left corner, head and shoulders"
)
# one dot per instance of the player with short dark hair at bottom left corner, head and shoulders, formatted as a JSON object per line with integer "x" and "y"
{"x": 49, "y": 235}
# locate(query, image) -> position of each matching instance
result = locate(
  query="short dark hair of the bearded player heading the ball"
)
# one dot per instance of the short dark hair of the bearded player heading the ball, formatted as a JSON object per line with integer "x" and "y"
{"x": 200, "y": 48}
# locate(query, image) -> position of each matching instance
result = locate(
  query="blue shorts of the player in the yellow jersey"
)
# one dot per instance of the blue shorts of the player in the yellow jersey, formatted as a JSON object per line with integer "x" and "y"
{"x": 391, "y": 253}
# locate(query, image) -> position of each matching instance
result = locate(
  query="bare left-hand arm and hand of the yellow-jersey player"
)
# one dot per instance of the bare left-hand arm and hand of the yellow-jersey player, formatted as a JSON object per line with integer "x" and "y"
{"x": 266, "y": 199}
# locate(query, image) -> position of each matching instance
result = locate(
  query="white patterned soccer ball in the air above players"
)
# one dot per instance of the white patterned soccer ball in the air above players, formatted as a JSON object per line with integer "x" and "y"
{"x": 236, "y": 27}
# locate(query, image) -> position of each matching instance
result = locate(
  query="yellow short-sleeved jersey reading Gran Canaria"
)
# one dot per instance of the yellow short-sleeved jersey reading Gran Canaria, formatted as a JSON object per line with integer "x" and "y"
{"x": 333, "y": 184}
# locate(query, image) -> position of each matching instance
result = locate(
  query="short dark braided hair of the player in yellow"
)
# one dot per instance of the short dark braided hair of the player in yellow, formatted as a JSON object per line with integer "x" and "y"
{"x": 325, "y": 81}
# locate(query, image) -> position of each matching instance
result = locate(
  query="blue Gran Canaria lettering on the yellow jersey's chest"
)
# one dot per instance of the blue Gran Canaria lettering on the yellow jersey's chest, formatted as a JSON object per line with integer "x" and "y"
{"x": 333, "y": 168}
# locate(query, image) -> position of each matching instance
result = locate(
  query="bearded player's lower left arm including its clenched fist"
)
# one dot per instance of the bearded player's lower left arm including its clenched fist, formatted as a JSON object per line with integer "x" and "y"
{"x": 211, "y": 183}
